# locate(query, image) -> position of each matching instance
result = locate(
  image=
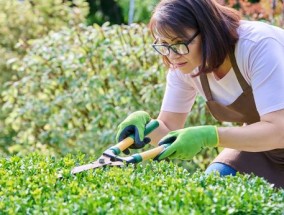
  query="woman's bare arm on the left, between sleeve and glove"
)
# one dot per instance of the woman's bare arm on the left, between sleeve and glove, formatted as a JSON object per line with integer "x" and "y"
{"x": 168, "y": 121}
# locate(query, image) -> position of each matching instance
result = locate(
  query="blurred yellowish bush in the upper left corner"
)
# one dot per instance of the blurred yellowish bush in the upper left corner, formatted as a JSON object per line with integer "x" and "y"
{"x": 21, "y": 21}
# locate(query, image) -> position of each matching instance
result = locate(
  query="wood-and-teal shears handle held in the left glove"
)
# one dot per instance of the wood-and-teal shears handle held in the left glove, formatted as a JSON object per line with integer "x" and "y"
{"x": 124, "y": 144}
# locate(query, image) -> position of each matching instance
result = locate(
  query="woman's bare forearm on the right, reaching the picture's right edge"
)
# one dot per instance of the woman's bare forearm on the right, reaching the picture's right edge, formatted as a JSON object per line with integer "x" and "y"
{"x": 265, "y": 135}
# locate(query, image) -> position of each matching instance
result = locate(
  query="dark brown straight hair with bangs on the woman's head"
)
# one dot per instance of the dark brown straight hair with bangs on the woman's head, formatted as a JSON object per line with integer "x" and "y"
{"x": 217, "y": 25}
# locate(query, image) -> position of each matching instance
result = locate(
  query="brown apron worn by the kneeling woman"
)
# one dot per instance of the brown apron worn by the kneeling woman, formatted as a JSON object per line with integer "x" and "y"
{"x": 269, "y": 164}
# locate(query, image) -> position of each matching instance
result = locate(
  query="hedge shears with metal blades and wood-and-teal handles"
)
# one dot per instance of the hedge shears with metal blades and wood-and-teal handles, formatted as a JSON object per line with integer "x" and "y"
{"x": 110, "y": 157}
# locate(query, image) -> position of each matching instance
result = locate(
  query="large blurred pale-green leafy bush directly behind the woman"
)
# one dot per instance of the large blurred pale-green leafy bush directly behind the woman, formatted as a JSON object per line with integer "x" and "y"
{"x": 75, "y": 86}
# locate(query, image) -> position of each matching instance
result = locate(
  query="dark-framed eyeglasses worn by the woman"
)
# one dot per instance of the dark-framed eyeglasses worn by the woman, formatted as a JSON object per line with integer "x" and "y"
{"x": 178, "y": 48}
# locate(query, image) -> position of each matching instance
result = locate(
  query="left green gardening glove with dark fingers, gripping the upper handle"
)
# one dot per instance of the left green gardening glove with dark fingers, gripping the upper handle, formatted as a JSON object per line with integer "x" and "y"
{"x": 135, "y": 124}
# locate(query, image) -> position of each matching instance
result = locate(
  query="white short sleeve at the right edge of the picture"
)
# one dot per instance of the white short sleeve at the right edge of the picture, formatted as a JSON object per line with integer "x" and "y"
{"x": 266, "y": 61}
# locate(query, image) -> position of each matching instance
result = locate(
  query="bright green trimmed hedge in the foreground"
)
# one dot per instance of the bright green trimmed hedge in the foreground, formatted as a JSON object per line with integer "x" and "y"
{"x": 29, "y": 185}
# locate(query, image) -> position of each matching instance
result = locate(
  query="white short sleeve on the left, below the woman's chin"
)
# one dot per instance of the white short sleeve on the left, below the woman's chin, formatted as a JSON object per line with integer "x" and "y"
{"x": 179, "y": 94}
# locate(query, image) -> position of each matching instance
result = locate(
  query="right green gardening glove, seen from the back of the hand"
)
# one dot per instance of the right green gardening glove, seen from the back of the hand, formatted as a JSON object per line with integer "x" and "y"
{"x": 187, "y": 142}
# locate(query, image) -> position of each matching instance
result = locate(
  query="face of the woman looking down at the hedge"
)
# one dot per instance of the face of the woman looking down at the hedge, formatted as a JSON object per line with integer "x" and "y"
{"x": 186, "y": 63}
